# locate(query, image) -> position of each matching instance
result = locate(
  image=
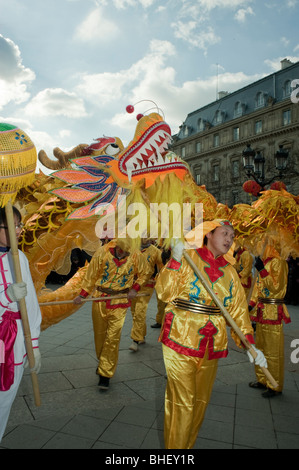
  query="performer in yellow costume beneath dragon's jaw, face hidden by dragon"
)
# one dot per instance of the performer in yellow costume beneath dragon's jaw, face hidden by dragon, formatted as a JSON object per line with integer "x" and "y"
{"x": 112, "y": 270}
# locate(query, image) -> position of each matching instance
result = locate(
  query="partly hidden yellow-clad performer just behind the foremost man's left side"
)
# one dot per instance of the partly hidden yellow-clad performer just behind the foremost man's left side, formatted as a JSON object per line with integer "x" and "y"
{"x": 139, "y": 305}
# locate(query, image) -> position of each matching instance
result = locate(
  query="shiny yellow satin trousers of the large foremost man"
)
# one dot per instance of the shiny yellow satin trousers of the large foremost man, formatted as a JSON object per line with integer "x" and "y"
{"x": 189, "y": 386}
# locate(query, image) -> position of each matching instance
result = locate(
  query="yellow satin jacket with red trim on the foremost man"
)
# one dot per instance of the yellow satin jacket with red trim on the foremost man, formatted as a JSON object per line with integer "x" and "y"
{"x": 191, "y": 333}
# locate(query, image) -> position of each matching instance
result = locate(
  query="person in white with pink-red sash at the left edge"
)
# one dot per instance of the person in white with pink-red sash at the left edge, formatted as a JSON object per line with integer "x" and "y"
{"x": 13, "y": 356}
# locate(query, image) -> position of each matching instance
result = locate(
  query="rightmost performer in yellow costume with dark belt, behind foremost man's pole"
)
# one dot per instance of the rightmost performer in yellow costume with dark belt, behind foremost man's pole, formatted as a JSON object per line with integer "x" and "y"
{"x": 269, "y": 312}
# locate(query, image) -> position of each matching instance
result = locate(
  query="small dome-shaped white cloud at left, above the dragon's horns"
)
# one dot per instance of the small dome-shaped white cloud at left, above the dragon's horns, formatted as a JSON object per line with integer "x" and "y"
{"x": 56, "y": 102}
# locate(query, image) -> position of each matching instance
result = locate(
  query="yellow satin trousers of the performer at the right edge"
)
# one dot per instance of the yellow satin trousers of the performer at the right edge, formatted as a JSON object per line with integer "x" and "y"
{"x": 270, "y": 340}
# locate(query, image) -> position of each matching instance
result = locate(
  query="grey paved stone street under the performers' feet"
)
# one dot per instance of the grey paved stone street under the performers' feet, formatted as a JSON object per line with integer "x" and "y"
{"x": 74, "y": 414}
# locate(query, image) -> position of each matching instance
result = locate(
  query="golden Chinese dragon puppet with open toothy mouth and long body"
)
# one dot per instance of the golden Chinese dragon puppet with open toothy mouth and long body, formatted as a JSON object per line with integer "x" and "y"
{"x": 106, "y": 190}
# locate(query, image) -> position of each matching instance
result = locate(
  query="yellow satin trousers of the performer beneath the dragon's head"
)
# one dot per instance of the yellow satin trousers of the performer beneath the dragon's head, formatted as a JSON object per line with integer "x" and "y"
{"x": 107, "y": 326}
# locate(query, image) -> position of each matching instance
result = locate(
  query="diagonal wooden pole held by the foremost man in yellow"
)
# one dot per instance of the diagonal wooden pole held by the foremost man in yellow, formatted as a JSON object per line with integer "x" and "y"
{"x": 228, "y": 318}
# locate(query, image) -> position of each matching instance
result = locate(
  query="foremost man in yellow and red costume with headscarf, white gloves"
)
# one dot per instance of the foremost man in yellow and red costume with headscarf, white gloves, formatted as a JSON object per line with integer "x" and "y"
{"x": 194, "y": 333}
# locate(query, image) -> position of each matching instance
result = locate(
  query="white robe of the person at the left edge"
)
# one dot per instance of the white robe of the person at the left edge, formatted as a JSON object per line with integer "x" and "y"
{"x": 34, "y": 317}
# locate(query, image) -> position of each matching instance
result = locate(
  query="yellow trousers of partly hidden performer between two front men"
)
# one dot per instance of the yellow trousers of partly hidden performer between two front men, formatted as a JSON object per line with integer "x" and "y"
{"x": 139, "y": 308}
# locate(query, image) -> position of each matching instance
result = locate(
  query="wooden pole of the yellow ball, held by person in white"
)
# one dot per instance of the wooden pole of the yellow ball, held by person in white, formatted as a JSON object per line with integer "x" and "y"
{"x": 22, "y": 302}
